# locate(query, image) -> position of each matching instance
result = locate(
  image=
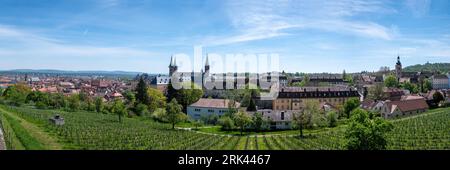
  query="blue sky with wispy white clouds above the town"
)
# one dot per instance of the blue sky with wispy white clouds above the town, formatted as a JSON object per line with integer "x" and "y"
{"x": 142, "y": 35}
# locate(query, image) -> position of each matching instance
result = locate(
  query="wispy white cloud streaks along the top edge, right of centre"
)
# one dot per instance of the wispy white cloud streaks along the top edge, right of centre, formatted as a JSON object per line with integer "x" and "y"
{"x": 256, "y": 20}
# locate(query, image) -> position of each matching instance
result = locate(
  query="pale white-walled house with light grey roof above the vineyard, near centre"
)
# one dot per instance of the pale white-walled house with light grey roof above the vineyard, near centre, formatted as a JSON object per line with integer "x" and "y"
{"x": 206, "y": 106}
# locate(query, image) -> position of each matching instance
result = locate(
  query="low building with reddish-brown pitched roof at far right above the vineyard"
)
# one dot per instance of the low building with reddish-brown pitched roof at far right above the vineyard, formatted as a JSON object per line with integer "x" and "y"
{"x": 395, "y": 109}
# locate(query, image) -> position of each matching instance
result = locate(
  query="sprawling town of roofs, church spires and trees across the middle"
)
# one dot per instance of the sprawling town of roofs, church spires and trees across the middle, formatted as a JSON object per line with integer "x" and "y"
{"x": 389, "y": 93}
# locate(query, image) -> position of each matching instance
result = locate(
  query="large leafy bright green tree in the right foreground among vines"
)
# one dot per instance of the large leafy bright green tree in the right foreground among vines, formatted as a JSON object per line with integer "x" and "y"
{"x": 366, "y": 133}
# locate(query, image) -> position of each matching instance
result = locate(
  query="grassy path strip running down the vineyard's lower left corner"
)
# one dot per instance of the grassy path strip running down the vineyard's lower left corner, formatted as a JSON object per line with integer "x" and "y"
{"x": 39, "y": 134}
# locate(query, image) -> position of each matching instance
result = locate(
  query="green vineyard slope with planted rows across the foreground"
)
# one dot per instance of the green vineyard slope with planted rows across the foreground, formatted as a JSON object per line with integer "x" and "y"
{"x": 28, "y": 128}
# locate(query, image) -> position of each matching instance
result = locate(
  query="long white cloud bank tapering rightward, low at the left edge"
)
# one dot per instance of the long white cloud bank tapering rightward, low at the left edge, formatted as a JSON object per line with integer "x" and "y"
{"x": 31, "y": 44}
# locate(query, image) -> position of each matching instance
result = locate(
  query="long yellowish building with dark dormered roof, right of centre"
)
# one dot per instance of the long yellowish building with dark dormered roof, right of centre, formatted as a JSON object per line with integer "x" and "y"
{"x": 294, "y": 98}
